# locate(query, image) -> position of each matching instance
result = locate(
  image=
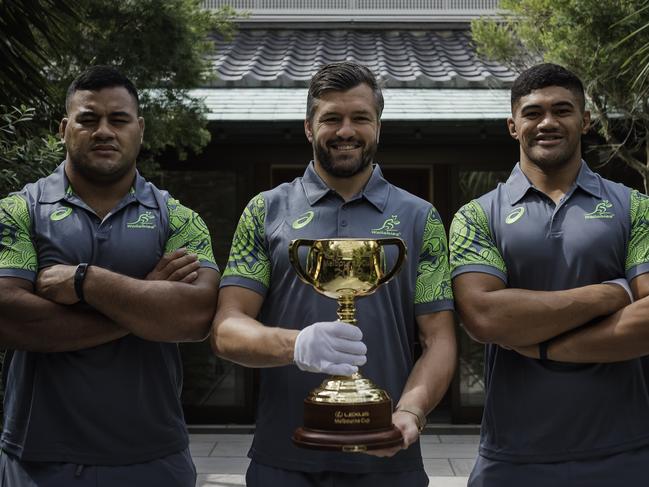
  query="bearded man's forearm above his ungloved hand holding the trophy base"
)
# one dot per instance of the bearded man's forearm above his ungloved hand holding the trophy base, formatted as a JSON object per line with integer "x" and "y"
{"x": 433, "y": 371}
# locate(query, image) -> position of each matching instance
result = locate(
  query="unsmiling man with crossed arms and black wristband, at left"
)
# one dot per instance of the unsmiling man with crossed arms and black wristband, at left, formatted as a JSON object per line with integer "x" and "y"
{"x": 101, "y": 273}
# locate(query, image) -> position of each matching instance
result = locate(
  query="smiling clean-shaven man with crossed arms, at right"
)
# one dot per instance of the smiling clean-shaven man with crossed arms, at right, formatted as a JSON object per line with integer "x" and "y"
{"x": 529, "y": 262}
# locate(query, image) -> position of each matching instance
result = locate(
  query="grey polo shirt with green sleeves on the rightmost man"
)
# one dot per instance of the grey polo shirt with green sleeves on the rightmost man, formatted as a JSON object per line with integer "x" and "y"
{"x": 537, "y": 412}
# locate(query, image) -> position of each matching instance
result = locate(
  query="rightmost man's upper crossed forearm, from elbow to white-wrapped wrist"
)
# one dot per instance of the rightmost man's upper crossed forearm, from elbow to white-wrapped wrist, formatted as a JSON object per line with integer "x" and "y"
{"x": 519, "y": 317}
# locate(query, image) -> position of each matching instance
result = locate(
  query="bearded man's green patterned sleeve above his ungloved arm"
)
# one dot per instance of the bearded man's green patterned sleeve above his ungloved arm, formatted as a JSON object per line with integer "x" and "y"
{"x": 433, "y": 276}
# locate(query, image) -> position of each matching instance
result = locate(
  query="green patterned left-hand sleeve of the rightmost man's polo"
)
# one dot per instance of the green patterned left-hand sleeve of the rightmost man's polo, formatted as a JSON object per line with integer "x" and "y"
{"x": 472, "y": 246}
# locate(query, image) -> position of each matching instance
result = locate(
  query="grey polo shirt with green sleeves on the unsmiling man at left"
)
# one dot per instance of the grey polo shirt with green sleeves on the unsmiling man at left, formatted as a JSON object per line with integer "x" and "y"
{"x": 117, "y": 403}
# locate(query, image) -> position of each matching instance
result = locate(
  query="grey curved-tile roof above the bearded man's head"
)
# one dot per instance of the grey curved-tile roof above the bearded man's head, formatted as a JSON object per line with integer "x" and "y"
{"x": 401, "y": 58}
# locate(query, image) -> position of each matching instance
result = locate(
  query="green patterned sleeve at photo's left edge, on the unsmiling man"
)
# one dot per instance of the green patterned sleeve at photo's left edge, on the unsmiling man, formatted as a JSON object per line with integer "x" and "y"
{"x": 17, "y": 250}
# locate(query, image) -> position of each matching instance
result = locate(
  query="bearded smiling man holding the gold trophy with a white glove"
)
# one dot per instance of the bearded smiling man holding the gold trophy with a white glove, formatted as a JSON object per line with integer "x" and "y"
{"x": 268, "y": 318}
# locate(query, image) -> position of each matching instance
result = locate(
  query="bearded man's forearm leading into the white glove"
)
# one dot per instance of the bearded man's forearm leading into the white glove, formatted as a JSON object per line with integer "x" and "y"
{"x": 241, "y": 339}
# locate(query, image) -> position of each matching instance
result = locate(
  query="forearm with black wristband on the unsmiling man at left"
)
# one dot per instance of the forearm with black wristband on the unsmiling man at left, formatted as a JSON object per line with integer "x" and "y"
{"x": 165, "y": 311}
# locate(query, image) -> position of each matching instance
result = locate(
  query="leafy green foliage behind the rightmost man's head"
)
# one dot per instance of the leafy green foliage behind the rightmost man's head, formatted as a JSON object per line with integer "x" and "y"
{"x": 595, "y": 39}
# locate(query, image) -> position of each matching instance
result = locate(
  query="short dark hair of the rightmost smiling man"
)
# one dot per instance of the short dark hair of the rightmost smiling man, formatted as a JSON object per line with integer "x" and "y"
{"x": 544, "y": 75}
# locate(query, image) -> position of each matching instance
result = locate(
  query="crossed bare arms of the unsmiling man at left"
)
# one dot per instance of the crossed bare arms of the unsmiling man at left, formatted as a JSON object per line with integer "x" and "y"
{"x": 174, "y": 303}
